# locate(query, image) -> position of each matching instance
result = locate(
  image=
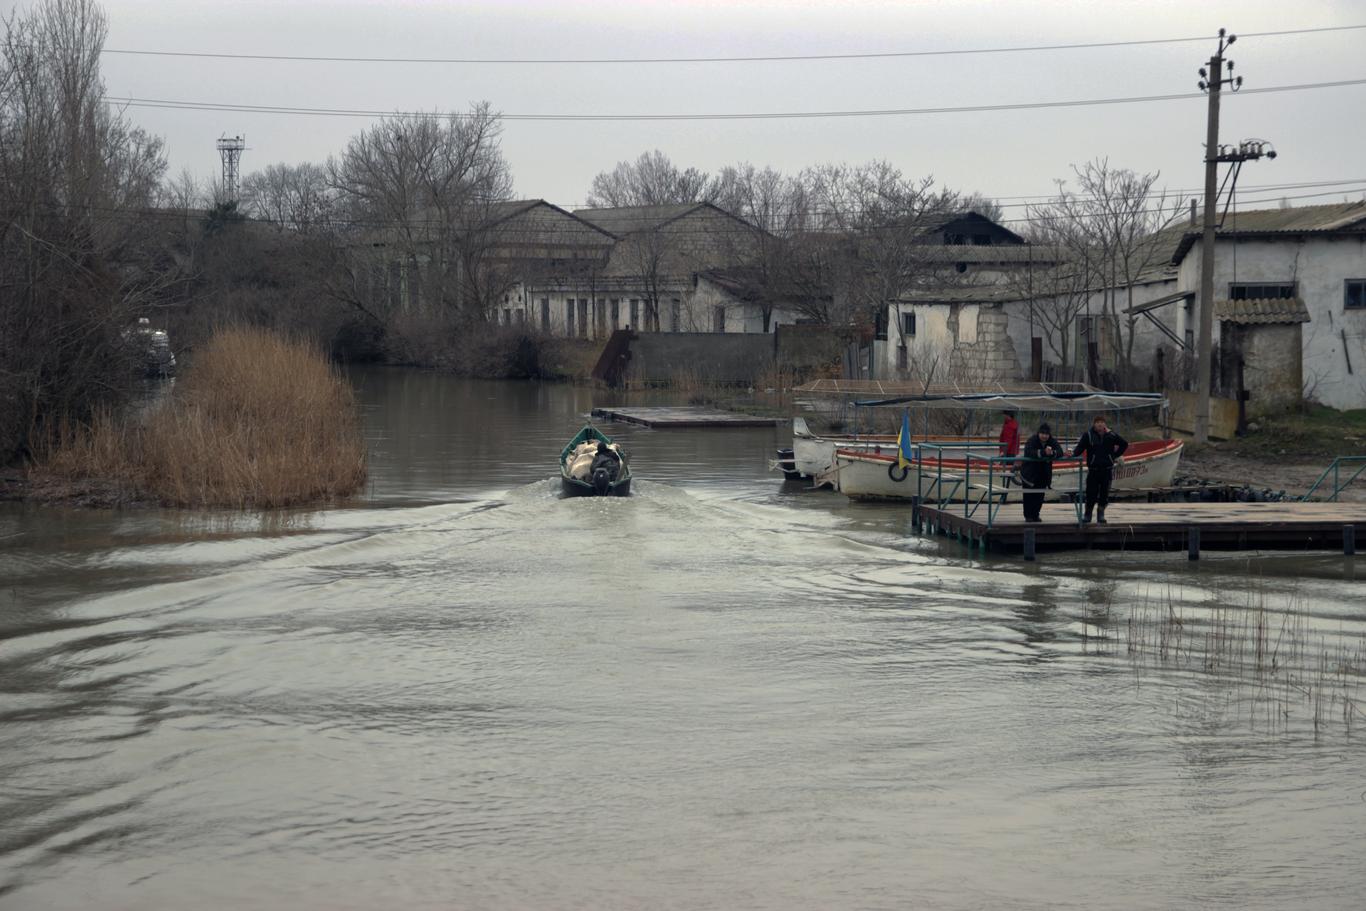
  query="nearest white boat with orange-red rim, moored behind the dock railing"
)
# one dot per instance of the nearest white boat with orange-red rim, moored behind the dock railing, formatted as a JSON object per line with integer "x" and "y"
{"x": 874, "y": 476}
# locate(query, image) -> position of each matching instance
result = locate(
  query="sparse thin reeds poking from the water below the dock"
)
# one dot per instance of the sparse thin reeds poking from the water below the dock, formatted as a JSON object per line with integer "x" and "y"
{"x": 1270, "y": 662}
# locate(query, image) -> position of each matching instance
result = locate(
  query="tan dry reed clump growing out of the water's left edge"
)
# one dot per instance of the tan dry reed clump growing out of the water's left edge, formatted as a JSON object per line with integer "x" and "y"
{"x": 257, "y": 421}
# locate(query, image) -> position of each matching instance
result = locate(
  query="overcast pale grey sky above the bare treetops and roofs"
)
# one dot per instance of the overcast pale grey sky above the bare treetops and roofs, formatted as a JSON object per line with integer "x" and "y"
{"x": 1319, "y": 135}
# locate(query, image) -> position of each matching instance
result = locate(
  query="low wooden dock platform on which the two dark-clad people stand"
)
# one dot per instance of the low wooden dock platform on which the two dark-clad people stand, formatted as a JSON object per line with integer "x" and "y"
{"x": 1158, "y": 527}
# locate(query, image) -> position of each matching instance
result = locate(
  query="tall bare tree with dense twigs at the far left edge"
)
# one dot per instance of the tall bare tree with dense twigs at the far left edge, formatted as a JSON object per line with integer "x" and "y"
{"x": 77, "y": 252}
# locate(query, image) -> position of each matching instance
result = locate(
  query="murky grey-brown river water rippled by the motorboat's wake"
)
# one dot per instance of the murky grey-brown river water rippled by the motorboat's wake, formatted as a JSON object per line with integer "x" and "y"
{"x": 721, "y": 693}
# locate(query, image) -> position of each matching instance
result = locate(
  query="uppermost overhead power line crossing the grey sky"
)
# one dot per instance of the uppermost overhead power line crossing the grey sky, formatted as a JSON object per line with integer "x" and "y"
{"x": 876, "y": 55}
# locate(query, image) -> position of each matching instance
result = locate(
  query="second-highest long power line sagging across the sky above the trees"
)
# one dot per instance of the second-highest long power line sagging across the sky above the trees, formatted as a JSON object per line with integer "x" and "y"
{"x": 786, "y": 115}
